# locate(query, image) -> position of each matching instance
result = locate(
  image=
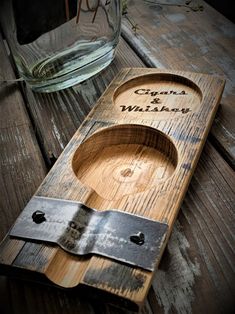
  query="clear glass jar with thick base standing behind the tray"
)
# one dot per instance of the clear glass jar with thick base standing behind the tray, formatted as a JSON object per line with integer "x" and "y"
{"x": 59, "y": 43}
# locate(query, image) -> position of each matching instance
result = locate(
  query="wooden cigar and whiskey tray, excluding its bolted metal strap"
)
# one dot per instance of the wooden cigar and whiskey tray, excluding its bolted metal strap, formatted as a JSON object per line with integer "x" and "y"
{"x": 135, "y": 152}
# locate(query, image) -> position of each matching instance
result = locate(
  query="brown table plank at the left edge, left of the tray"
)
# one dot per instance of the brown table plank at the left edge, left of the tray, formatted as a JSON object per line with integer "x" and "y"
{"x": 22, "y": 166}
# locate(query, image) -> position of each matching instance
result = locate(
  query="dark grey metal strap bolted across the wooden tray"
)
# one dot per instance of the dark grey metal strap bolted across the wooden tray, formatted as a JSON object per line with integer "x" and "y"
{"x": 81, "y": 230}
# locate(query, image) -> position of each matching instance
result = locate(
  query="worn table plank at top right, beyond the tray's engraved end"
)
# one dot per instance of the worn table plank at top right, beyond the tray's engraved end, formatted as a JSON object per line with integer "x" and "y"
{"x": 173, "y": 37}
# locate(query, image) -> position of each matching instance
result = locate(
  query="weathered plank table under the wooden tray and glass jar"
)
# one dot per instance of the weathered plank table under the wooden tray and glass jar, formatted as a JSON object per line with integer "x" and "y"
{"x": 196, "y": 274}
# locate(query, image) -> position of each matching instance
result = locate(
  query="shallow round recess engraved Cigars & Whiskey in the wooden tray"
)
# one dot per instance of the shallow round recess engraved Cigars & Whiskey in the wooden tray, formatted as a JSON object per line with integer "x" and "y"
{"x": 159, "y": 95}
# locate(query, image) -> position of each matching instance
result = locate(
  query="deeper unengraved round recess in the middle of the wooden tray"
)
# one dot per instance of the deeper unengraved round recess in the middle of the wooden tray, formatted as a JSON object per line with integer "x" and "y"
{"x": 124, "y": 159}
